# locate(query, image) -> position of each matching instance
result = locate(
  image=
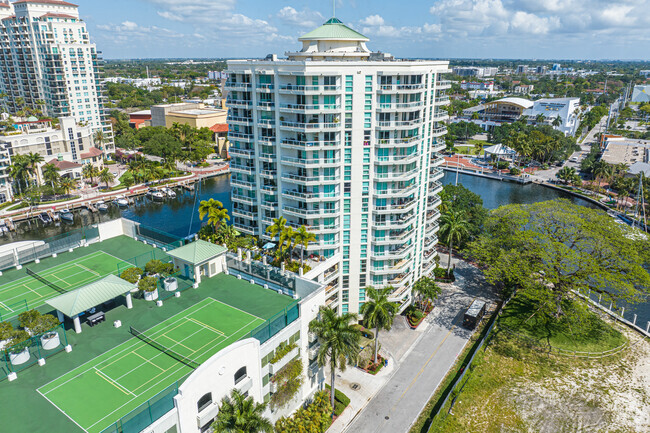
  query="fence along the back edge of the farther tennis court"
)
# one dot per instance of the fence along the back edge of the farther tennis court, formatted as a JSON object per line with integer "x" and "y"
{"x": 45, "y": 248}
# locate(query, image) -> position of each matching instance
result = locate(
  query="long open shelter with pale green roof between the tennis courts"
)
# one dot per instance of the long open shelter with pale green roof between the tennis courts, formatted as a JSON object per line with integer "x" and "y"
{"x": 76, "y": 302}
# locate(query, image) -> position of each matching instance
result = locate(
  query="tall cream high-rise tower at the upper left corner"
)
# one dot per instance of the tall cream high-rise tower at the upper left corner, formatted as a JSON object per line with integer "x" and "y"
{"x": 48, "y": 61}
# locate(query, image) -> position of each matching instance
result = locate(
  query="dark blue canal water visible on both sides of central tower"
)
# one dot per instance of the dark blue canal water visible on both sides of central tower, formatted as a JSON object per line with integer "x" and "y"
{"x": 179, "y": 216}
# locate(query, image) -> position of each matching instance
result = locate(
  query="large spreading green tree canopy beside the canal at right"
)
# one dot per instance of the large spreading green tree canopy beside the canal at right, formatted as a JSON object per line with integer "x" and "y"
{"x": 549, "y": 249}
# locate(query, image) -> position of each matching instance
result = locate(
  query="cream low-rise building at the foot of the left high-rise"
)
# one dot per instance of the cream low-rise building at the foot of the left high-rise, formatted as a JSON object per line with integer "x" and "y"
{"x": 67, "y": 145}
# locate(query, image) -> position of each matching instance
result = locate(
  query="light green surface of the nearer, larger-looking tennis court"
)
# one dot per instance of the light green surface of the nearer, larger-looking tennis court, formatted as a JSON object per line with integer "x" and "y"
{"x": 108, "y": 387}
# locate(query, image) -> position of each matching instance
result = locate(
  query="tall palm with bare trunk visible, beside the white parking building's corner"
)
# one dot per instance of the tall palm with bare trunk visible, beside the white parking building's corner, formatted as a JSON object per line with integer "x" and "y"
{"x": 339, "y": 341}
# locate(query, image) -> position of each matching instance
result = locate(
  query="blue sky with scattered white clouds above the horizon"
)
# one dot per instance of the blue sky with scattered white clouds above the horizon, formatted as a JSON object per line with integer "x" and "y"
{"x": 544, "y": 29}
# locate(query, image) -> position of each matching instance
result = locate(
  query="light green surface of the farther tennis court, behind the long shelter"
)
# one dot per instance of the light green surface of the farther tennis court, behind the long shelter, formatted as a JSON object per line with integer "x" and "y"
{"x": 68, "y": 276}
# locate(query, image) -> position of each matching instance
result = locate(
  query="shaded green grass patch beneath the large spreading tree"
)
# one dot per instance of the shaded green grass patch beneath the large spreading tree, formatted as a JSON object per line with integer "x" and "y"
{"x": 587, "y": 334}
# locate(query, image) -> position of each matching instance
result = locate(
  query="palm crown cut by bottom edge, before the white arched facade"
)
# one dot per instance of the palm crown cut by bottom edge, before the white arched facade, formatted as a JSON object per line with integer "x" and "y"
{"x": 240, "y": 414}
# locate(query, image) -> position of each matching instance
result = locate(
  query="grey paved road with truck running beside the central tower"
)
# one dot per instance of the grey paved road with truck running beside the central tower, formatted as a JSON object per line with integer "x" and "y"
{"x": 397, "y": 405}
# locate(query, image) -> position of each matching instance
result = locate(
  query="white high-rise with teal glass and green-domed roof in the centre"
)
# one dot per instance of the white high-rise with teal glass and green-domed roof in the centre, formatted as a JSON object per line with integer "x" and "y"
{"x": 343, "y": 141}
